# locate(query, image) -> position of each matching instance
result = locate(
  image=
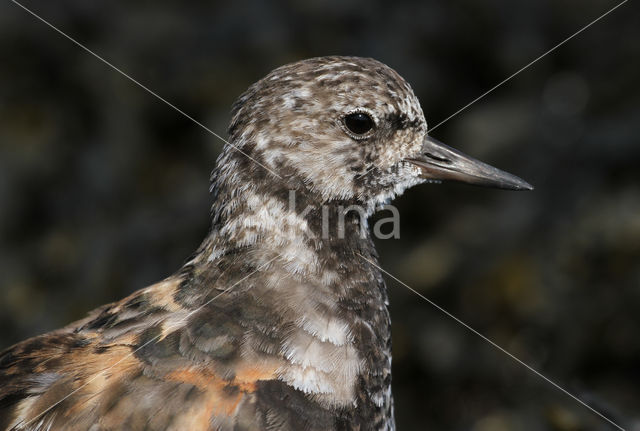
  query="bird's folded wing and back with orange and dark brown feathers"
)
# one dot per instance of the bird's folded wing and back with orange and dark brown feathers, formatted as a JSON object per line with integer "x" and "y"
{"x": 135, "y": 364}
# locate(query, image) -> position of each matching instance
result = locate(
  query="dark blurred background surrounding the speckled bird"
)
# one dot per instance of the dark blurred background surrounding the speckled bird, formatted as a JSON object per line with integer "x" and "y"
{"x": 103, "y": 189}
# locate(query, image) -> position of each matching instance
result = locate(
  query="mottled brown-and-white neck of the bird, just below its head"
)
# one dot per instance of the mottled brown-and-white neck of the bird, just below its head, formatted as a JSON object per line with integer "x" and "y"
{"x": 290, "y": 220}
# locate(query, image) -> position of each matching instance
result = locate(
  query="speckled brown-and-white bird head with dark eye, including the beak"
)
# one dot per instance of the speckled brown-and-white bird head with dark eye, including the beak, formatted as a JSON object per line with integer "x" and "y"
{"x": 348, "y": 128}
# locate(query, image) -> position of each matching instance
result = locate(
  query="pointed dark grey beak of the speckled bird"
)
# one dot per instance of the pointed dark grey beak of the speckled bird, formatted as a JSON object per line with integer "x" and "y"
{"x": 441, "y": 162}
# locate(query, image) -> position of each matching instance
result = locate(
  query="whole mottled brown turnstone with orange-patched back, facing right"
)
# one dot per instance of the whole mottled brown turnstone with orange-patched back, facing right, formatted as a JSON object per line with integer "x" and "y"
{"x": 279, "y": 320}
